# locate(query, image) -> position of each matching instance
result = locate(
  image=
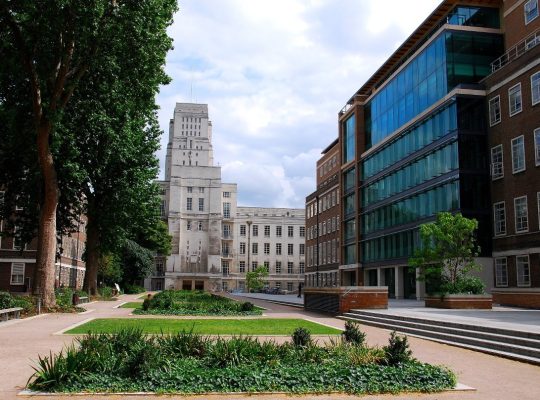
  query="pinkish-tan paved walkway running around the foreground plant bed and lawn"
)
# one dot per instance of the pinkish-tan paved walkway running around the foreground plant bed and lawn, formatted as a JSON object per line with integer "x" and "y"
{"x": 494, "y": 378}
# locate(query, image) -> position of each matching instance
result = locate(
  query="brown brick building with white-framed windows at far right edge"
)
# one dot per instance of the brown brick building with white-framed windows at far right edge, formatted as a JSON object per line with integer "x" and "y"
{"x": 513, "y": 115}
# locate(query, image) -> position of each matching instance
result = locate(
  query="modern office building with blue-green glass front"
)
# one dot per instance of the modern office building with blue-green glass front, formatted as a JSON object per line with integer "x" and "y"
{"x": 420, "y": 143}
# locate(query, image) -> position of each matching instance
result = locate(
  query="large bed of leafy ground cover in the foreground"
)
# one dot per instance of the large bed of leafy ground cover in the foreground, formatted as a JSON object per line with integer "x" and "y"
{"x": 129, "y": 361}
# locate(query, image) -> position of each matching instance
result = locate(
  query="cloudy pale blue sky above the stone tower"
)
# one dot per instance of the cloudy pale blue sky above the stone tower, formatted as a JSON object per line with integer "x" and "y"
{"x": 275, "y": 74}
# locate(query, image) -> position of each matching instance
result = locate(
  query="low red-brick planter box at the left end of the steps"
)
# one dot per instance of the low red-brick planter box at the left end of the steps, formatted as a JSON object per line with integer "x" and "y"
{"x": 342, "y": 299}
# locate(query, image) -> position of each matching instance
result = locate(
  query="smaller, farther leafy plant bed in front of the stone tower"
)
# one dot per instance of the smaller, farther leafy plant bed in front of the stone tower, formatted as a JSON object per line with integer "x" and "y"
{"x": 187, "y": 302}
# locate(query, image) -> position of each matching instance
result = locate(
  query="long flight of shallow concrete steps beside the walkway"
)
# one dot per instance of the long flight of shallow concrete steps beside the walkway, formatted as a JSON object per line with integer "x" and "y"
{"x": 517, "y": 345}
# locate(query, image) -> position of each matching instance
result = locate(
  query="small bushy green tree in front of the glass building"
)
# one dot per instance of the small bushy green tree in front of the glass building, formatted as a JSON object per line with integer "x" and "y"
{"x": 447, "y": 253}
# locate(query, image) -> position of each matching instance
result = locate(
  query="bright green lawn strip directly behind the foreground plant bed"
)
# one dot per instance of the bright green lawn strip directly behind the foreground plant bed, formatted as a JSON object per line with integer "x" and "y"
{"x": 259, "y": 326}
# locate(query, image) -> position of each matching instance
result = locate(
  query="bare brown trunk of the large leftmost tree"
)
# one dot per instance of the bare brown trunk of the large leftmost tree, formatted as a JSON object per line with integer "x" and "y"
{"x": 45, "y": 268}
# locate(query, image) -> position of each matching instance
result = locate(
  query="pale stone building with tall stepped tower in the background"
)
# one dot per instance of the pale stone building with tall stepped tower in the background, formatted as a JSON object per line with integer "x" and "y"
{"x": 206, "y": 224}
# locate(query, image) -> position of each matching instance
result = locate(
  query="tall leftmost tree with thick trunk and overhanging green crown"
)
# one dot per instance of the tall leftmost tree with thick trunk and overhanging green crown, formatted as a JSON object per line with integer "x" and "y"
{"x": 50, "y": 46}
